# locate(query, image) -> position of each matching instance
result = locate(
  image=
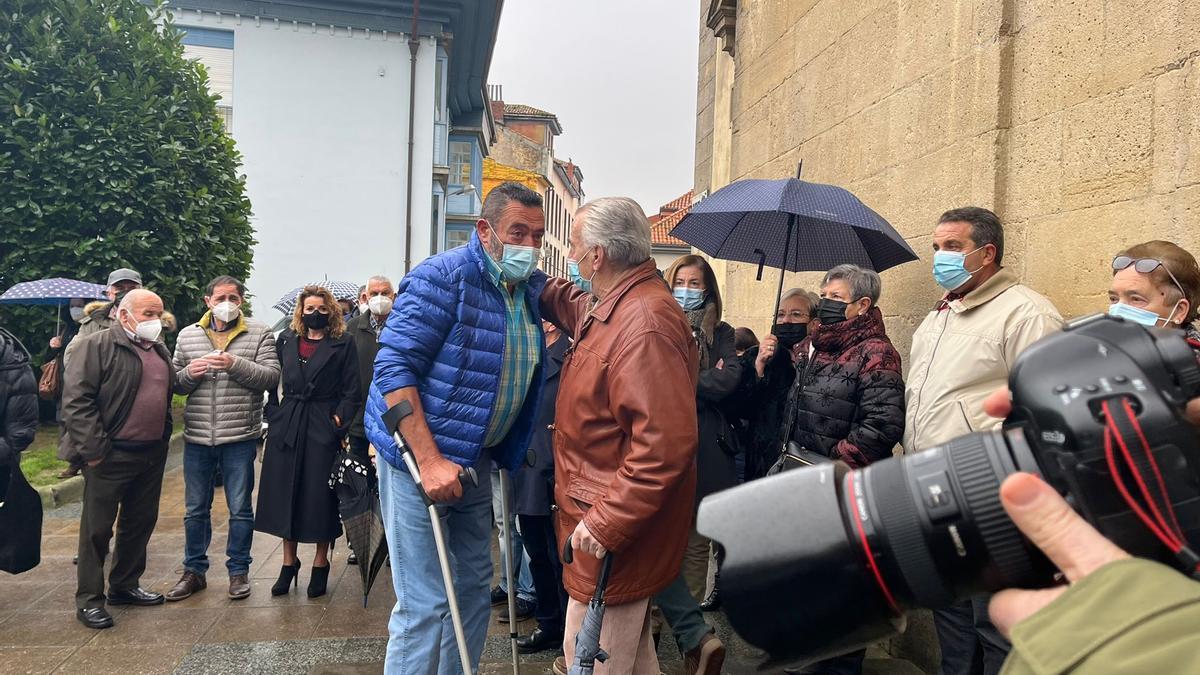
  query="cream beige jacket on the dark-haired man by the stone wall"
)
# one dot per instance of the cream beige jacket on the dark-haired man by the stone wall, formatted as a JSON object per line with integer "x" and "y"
{"x": 963, "y": 354}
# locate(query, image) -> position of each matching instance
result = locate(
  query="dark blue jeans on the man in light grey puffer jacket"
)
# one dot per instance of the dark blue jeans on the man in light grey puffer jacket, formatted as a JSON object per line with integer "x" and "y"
{"x": 237, "y": 465}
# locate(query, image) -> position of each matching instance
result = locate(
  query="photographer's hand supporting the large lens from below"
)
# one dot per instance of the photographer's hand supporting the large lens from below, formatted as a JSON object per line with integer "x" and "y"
{"x": 1072, "y": 545}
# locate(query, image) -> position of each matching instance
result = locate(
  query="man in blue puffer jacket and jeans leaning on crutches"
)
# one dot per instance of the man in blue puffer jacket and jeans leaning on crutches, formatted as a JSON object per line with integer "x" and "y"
{"x": 464, "y": 345}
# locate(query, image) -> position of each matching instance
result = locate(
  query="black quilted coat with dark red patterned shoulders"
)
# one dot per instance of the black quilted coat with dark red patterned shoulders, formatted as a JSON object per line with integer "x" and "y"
{"x": 849, "y": 401}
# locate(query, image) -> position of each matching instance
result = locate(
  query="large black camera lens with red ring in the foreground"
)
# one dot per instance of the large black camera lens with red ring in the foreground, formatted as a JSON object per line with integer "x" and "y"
{"x": 824, "y": 560}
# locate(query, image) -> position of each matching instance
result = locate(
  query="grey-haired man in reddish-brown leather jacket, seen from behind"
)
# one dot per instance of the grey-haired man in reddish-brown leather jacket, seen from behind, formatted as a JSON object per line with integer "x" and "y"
{"x": 626, "y": 428}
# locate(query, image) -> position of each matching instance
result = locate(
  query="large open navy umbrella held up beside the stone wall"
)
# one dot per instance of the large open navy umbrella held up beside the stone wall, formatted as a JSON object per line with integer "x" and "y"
{"x": 793, "y": 225}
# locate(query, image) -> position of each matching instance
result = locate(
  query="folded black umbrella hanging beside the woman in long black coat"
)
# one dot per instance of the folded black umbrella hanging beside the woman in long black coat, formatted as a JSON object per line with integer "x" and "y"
{"x": 358, "y": 501}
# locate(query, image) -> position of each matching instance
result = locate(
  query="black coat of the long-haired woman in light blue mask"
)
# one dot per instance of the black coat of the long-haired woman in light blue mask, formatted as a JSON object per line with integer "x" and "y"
{"x": 716, "y": 468}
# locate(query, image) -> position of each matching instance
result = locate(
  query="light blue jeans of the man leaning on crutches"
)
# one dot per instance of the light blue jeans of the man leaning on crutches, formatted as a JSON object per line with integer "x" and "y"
{"x": 422, "y": 637}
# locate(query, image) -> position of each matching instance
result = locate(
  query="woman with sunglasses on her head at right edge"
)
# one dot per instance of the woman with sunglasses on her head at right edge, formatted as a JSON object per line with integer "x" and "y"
{"x": 1157, "y": 284}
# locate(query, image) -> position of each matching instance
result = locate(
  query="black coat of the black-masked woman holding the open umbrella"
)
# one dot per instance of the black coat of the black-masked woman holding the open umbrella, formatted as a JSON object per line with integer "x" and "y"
{"x": 757, "y": 410}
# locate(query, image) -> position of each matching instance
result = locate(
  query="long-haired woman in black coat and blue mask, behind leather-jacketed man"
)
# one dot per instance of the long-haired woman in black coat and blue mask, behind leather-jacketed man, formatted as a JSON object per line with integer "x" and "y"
{"x": 695, "y": 289}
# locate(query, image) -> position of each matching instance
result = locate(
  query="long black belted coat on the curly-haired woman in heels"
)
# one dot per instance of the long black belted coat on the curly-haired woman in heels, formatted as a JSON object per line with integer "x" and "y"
{"x": 295, "y": 499}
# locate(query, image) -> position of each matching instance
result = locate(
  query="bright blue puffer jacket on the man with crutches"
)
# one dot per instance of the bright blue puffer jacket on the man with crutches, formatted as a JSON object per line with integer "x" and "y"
{"x": 446, "y": 337}
